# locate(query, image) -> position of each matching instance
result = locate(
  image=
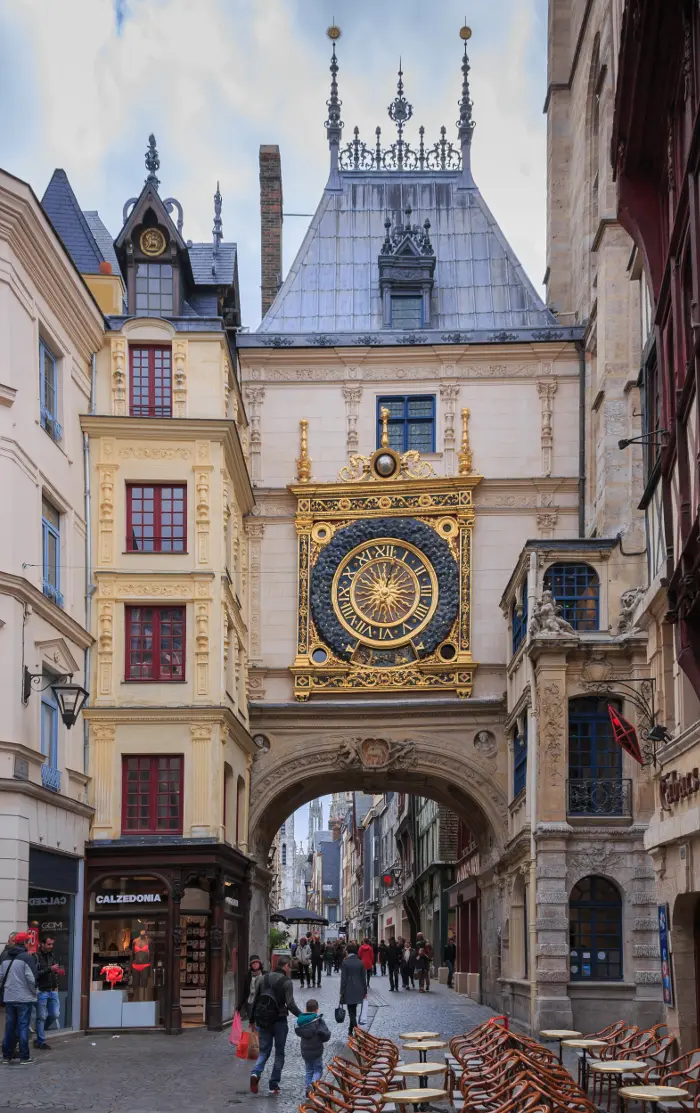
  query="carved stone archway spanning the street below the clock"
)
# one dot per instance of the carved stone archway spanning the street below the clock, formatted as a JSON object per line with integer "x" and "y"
{"x": 464, "y": 771}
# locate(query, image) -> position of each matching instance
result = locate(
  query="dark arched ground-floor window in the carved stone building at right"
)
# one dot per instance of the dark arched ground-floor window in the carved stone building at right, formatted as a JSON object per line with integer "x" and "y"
{"x": 596, "y": 931}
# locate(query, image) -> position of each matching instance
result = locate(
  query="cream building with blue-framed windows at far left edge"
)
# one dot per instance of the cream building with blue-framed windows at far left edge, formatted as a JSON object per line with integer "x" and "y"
{"x": 51, "y": 327}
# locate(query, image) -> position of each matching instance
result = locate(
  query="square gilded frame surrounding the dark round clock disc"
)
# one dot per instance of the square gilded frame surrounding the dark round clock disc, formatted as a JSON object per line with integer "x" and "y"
{"x": 447, "y": 506}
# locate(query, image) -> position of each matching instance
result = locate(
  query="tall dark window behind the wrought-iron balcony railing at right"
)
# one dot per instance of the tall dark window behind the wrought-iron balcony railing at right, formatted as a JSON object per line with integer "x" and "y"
{"x": 596, "y": 785}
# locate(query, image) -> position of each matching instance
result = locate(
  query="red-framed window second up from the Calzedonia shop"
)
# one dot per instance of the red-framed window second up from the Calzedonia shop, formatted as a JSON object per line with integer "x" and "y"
{"x": 155, "y": 644}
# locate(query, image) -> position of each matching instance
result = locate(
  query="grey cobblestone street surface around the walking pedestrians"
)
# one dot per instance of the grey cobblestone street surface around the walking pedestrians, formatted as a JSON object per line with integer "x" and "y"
{"x": 199, "y": 1071}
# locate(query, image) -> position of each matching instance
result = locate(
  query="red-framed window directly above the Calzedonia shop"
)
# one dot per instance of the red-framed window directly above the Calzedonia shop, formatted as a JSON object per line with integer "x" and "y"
{"x": 152, "y": 795}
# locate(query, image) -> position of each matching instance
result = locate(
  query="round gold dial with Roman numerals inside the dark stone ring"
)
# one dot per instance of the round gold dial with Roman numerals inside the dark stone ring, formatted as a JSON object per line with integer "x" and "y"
{"x": 386, "y": 593}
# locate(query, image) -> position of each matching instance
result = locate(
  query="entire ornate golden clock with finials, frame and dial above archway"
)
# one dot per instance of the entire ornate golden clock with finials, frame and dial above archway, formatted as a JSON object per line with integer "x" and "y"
{"x": 384, "y": 576}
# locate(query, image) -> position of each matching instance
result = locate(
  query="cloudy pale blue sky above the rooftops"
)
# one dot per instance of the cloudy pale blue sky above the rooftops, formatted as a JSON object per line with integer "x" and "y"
{"x": 83, "y": 83}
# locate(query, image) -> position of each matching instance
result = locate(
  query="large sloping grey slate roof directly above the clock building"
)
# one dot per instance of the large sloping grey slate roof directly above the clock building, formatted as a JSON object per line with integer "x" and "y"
{"x": 334, "y": 283}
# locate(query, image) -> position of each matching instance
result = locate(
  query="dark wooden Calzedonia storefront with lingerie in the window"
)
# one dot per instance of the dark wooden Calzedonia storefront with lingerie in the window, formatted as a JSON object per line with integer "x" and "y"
{"x": 164, "y": 945}
